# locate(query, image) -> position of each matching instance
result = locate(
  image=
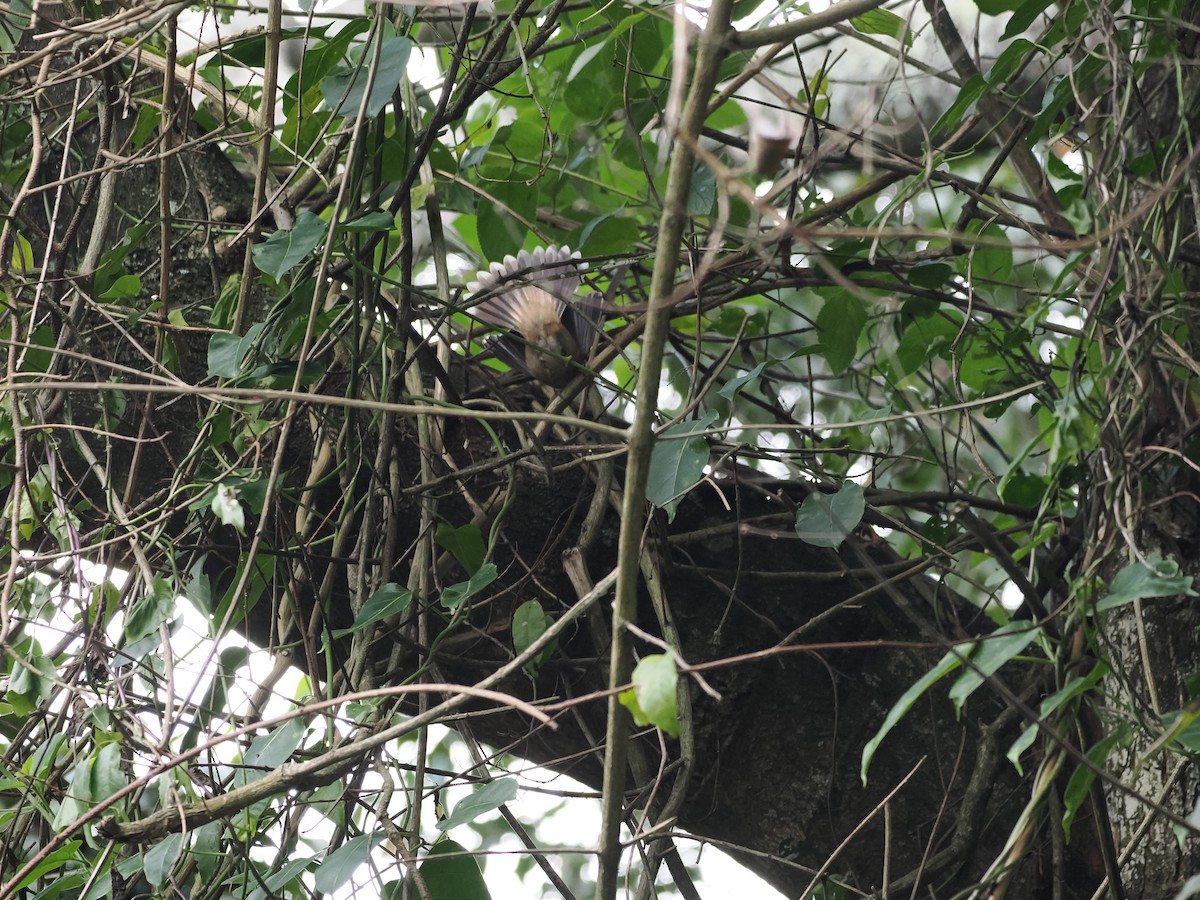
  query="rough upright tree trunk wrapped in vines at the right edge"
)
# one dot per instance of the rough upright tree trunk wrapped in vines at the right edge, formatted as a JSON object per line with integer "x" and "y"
{"x": 1136, "y": 473}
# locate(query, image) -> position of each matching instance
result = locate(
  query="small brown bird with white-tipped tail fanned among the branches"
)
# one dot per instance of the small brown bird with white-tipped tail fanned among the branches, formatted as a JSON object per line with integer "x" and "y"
{"x": 533, "y": 296}
